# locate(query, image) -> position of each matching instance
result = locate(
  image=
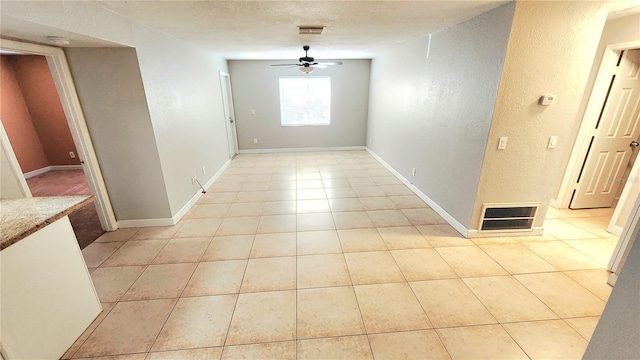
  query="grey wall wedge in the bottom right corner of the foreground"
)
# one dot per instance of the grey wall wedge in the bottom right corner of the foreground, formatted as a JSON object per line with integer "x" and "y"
{"x": 618, "y": 331}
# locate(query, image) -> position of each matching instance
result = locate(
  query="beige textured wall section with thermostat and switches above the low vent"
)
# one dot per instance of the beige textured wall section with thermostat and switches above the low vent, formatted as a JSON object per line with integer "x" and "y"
{"x": 551, "y": 48}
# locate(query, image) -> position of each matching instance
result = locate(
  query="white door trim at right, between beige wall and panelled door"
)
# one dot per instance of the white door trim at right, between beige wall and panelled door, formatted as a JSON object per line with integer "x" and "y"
{"x": 591, "y": 114}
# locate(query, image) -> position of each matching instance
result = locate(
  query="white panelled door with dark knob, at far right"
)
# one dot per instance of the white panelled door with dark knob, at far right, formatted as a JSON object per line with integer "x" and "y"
{"x": 615, "y": 138}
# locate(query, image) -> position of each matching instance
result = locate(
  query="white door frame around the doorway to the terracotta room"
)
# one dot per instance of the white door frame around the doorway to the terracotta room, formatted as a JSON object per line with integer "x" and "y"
{"x": 77, "y": 124}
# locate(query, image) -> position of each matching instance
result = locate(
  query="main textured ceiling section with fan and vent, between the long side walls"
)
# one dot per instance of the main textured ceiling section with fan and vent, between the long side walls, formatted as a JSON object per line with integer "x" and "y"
{"x": 268, "y": 29}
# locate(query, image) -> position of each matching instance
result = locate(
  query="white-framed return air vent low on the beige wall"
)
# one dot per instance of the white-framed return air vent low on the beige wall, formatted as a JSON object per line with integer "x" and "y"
{"x": 508, "y": 217}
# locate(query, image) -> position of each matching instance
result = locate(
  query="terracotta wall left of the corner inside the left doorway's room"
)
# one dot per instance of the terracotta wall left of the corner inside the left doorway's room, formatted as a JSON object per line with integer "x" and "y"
{"x": 17, "y": 121}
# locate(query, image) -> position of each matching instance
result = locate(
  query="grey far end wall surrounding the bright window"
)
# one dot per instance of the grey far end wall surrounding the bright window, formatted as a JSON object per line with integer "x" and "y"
{"x": 255, "y": 86}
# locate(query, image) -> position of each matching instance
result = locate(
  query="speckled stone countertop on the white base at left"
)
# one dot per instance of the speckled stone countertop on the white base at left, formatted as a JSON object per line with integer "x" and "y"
{"x": 20, "y": 218}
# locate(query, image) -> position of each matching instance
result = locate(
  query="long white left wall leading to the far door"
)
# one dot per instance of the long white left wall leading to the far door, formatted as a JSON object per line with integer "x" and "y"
{"x": 182, "y": 85}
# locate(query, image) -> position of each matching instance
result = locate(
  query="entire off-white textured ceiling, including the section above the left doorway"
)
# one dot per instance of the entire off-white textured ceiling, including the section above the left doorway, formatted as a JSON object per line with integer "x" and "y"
{"x": 246, "y": 29}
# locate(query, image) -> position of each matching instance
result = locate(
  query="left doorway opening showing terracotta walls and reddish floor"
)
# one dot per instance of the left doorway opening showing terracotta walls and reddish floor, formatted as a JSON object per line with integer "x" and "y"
{"x": 41, "y": 140}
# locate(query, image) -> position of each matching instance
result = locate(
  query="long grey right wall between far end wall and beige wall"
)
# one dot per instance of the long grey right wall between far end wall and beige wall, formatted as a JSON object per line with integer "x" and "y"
{"x": 434, "y": 113}
